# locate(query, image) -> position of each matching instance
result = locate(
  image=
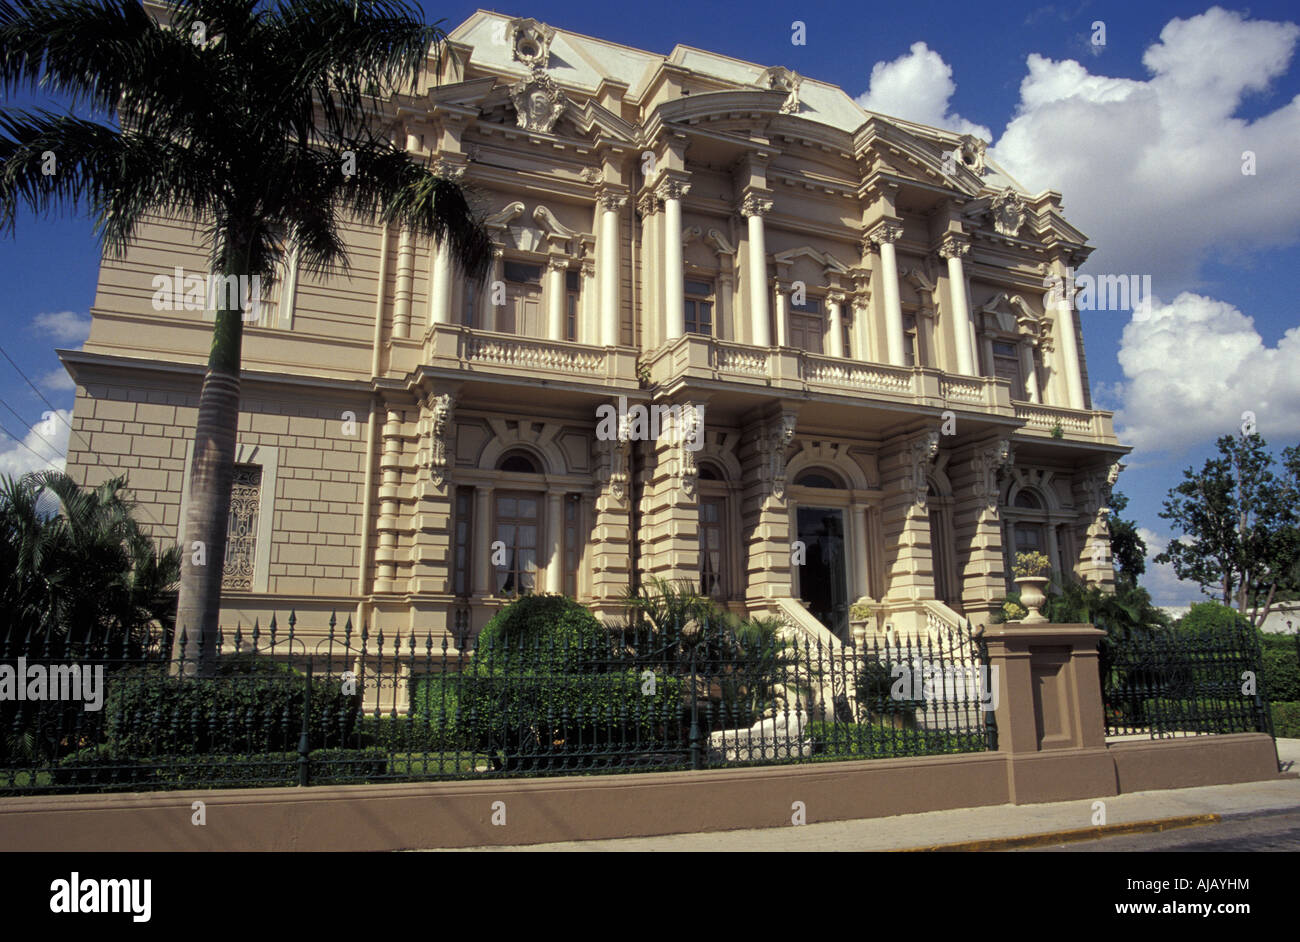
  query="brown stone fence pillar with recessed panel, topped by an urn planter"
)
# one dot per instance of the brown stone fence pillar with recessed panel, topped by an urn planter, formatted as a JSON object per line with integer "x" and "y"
{"x": 1050, "y": 719}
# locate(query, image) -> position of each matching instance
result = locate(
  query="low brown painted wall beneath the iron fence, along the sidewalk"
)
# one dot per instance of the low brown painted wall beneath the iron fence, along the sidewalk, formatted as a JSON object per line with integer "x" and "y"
{"x": 462, "y": 814}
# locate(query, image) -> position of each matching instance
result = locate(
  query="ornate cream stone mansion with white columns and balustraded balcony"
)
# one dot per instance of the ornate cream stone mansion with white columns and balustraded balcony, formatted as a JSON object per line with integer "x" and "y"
{"x": 892, "y": 401}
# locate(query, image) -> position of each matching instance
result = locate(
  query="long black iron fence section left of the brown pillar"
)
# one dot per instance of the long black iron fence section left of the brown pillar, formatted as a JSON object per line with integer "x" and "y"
{"x": 344, "y": 706}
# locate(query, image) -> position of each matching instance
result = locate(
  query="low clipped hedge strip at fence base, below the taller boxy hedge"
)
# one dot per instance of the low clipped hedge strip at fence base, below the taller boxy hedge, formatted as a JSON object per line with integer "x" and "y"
{"x": 101, "y": 770}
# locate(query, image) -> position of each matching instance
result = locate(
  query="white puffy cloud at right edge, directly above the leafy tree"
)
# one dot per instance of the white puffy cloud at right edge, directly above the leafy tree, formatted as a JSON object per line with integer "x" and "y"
{"x": 1194, "y": 366}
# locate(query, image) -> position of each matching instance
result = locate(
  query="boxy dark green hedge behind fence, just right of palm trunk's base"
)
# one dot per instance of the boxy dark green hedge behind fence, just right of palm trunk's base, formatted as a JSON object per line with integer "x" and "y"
{"x": 151, "y": 714}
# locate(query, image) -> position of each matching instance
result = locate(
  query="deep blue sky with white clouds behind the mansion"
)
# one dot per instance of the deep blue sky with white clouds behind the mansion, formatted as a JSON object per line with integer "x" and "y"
{"x": 1143, "y": 136}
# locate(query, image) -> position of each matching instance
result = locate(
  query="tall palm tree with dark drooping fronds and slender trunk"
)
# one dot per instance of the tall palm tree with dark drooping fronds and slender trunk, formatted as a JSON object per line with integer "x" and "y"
{"x": 252, "y": 118}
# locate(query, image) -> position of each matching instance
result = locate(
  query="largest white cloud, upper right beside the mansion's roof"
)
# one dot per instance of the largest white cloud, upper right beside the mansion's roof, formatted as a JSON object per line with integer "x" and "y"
{"x": 1152, "y": 170}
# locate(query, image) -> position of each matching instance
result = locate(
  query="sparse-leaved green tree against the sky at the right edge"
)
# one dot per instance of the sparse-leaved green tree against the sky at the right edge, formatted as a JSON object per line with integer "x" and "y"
{"x": 1240, "y": 524}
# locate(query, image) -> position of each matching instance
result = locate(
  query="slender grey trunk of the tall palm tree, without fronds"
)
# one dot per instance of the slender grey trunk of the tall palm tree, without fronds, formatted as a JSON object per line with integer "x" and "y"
{"x": 211, "y": 476}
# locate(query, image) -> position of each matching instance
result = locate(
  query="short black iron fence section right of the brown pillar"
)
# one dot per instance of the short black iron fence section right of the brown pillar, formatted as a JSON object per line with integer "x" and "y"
{"x": 1168, "y": 684}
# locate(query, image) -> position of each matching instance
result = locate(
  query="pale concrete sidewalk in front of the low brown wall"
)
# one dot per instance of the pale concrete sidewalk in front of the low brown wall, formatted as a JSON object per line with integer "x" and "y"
{"x": 1004, "y": 822}
